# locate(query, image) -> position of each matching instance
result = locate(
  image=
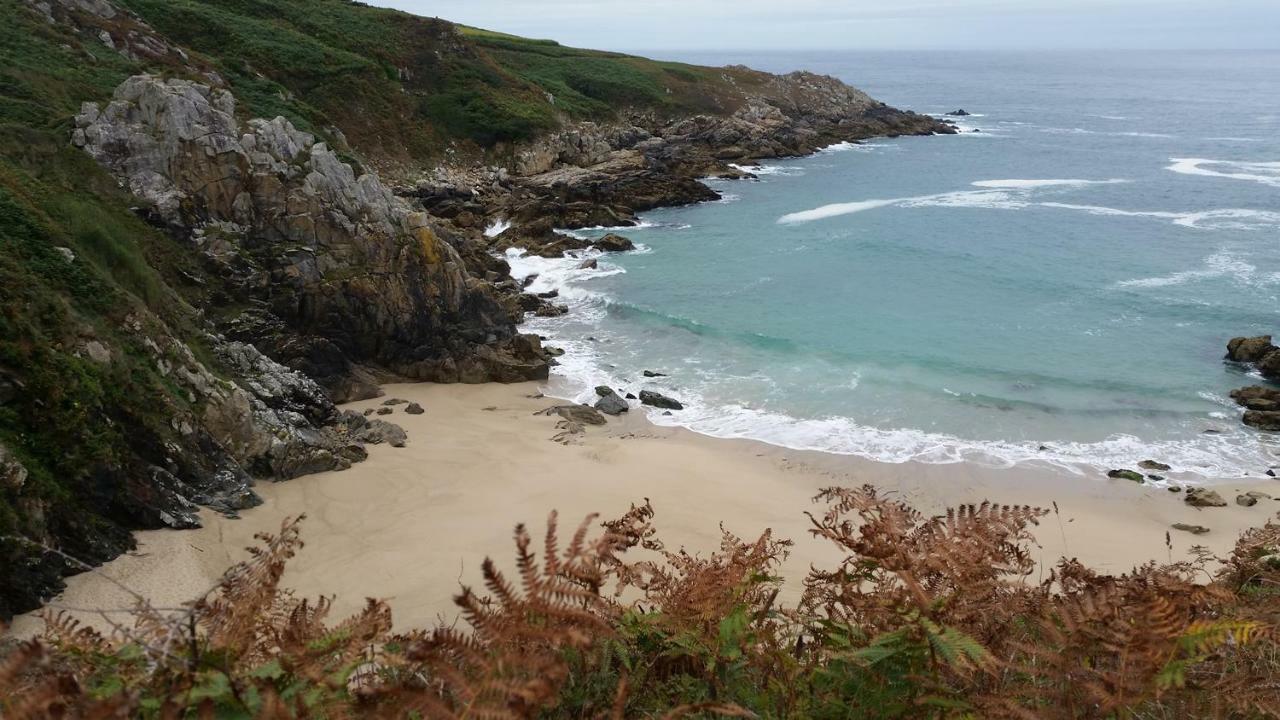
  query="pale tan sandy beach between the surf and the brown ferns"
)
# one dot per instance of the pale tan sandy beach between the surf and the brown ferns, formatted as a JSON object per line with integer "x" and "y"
{"x": 410, "y": 525}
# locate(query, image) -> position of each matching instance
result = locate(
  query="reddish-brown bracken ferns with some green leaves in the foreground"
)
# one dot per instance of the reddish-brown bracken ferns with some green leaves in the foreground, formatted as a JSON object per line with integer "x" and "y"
{"x": 925, "y": 618}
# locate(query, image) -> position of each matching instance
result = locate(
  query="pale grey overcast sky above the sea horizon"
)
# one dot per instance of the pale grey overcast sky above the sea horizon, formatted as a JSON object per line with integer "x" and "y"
{"x": 874, "y": 25}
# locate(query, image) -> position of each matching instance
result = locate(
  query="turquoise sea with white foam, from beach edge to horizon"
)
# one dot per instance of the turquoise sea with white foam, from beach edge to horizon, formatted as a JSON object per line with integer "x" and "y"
{"x": 1055, "y": 289}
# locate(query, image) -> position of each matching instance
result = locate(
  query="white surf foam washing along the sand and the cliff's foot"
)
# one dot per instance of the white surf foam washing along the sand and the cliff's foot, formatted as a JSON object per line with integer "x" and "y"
{"x": 584, "y": 367}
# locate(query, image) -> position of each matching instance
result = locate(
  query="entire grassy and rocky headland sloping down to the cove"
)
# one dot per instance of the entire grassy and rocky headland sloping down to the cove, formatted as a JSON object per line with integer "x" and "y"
{"x": 217, "y": 221}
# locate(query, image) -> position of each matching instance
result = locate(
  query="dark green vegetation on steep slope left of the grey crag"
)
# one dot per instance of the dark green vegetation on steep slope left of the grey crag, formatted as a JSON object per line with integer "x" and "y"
{"x": 71, "y": 420}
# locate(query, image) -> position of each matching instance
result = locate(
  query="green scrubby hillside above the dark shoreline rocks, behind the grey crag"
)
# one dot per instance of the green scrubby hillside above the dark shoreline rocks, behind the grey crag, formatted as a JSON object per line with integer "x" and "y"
{"x": 404, "y": 88}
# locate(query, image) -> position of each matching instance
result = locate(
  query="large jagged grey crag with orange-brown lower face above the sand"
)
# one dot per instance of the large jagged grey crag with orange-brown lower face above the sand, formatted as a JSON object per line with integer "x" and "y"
{"x": 349, "y": 271}
